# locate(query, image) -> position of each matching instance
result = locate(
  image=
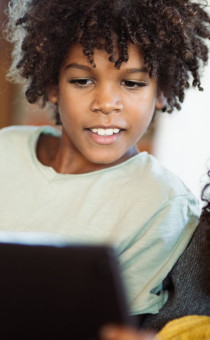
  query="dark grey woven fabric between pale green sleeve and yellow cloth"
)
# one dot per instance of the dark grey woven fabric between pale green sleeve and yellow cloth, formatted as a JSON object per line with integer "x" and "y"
{"x": 188, "y": 284}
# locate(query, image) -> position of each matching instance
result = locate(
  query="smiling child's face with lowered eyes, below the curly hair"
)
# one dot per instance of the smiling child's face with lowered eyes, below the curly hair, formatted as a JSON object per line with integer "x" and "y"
{"x": 104, "y": 111}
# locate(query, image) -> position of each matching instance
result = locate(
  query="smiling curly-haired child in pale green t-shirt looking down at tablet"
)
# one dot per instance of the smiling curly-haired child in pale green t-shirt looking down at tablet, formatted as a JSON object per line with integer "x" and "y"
{"x": 106, "y": 67}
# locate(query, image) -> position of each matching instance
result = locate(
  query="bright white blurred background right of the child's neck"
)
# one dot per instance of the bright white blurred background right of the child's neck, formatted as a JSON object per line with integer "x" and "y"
{"x": 182, "y": 140}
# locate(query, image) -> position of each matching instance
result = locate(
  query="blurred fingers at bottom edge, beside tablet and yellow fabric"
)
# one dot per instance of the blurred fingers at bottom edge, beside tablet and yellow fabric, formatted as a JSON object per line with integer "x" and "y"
{"x": 113, "y": 332}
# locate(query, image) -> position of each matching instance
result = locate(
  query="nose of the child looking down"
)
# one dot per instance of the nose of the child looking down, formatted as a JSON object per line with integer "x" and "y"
{"x": 106, "y": 101}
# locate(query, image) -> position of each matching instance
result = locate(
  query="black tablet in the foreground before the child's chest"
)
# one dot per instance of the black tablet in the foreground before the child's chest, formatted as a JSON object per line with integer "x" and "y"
{"x": 59, "y": 292}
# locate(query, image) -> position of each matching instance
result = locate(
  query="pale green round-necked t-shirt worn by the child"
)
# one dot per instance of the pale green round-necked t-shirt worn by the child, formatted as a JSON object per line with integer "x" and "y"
{"x": 139, "y": 207}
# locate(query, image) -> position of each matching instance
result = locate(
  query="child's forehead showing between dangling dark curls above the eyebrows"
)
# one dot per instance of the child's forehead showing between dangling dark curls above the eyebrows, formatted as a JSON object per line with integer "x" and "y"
{"x": 101, "y": 57}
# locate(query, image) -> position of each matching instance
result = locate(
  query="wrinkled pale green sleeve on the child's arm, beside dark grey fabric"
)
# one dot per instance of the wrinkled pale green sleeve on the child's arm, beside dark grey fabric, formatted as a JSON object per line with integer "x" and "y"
{"x": 149, "y": 257}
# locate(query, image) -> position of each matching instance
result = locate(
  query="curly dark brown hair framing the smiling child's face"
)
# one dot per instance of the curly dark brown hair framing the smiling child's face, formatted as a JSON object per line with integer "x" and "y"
{"x": 170, "y": 33}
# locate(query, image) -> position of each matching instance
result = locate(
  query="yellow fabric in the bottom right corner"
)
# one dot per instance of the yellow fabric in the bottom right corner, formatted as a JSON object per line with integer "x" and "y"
{"x": 192, "y": 327}
